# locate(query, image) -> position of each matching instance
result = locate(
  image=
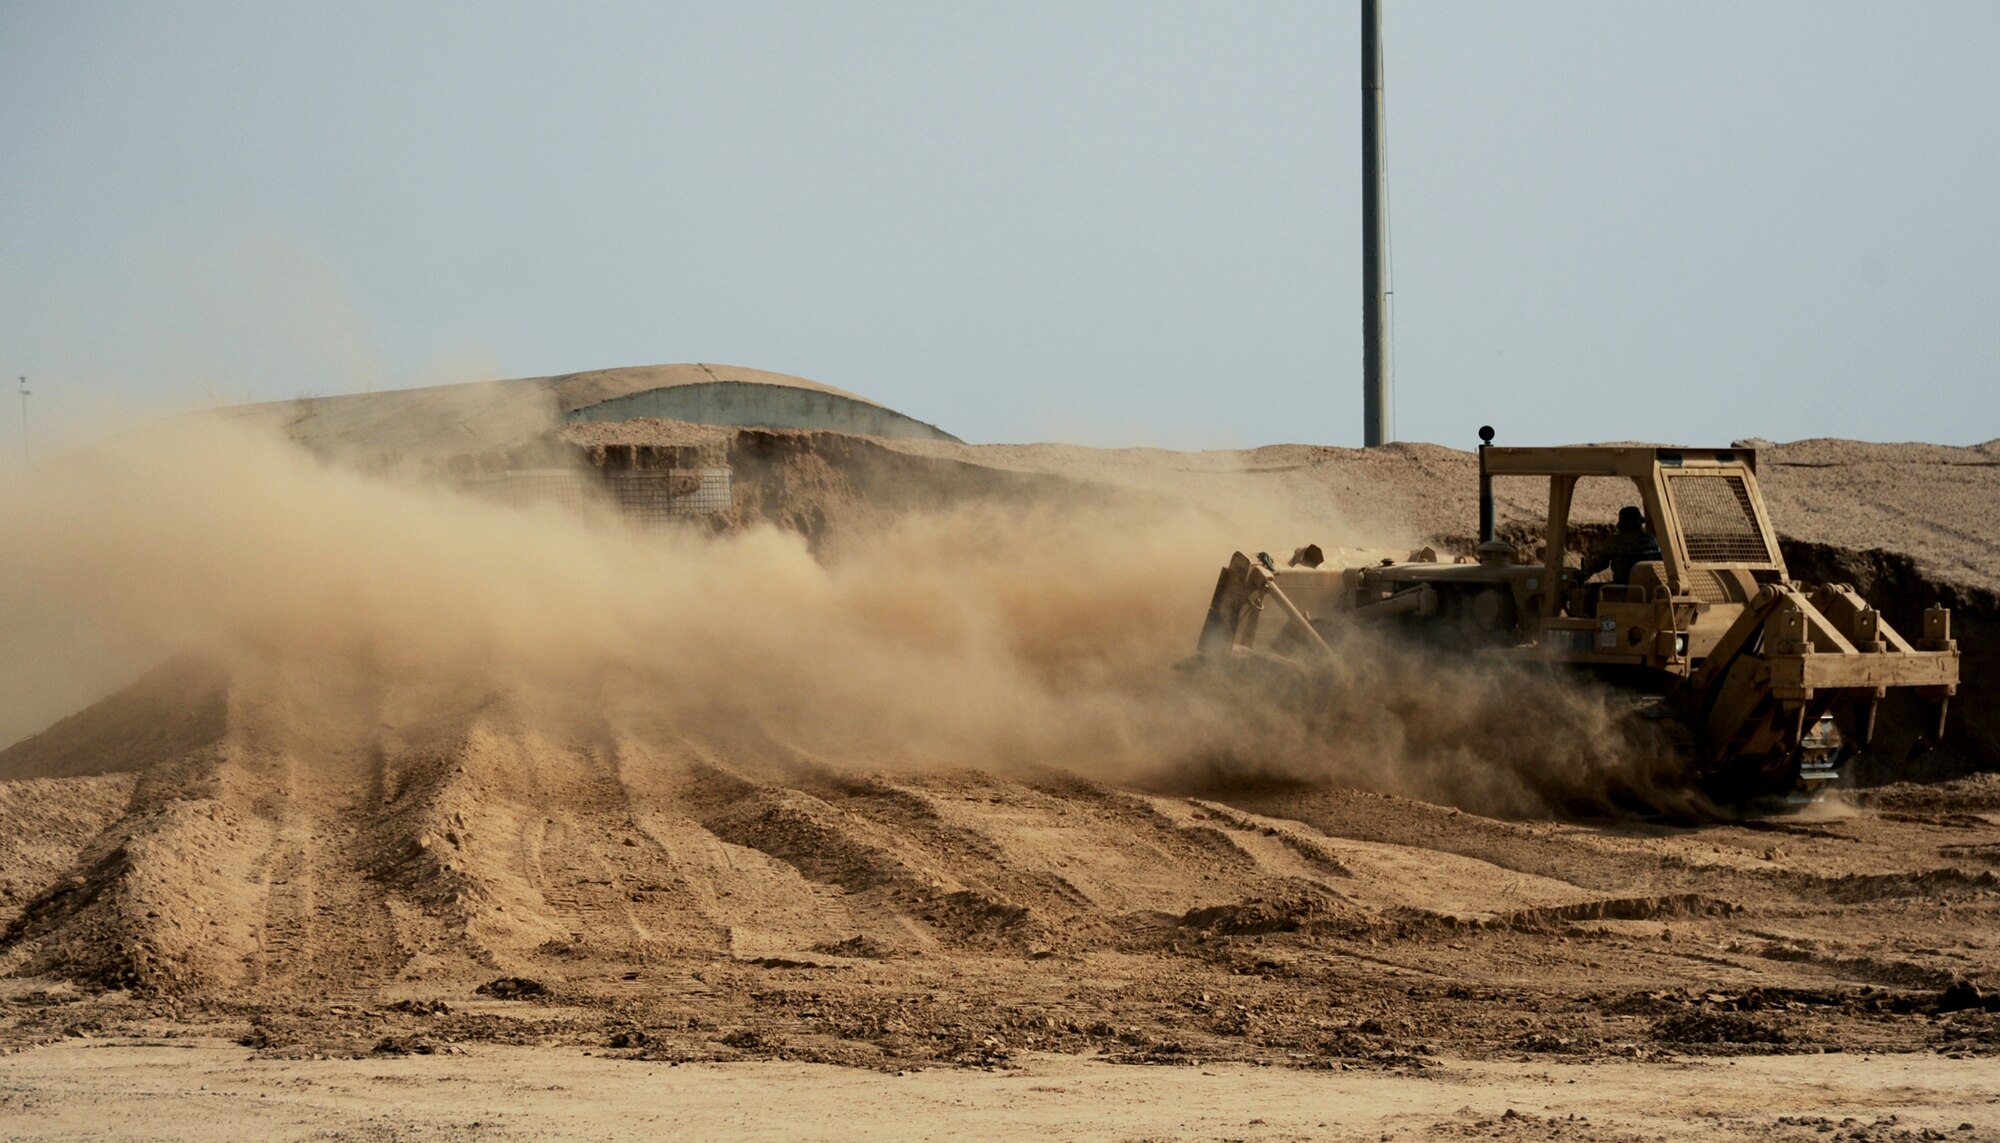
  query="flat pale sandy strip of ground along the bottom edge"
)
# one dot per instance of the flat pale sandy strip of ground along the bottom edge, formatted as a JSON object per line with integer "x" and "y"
{"x": 203, "y": 1090}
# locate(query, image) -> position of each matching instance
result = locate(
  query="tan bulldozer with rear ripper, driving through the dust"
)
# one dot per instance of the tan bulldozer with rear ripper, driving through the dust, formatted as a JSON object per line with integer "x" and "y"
{"x": 1769, "y": 684}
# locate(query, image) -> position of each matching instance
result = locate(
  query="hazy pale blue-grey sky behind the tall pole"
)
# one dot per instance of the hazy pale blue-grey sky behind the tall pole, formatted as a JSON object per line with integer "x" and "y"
{"x": 1105, "y": 223}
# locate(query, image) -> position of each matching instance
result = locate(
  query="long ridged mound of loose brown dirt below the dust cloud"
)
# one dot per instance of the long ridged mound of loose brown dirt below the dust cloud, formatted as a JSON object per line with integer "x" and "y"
{"x": 289, "y": 862}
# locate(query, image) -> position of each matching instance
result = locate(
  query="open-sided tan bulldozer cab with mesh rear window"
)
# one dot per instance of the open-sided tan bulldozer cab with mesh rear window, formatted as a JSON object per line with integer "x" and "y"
{"x": 1705, "y": 509}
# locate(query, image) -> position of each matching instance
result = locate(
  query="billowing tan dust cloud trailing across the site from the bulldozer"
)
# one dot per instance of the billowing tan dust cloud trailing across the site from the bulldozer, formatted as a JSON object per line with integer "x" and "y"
{"x": 1001, "y": 636}
